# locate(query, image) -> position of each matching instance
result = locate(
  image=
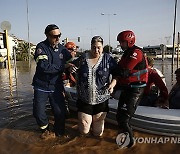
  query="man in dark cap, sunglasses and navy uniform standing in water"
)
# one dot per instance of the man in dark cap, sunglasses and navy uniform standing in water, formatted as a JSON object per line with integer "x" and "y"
{"x": 51, "y": 58}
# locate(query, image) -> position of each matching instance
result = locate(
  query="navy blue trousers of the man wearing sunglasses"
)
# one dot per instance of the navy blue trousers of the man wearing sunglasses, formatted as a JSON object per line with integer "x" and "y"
{"x": 57, "y": 102}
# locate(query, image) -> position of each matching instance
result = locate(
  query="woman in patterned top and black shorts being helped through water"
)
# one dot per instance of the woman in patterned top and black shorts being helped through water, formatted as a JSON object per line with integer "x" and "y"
{"x": 94, "y": 87}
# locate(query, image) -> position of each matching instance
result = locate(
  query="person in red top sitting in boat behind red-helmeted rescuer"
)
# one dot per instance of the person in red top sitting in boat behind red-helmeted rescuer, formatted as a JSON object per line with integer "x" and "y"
{"x": 152, "y": 97}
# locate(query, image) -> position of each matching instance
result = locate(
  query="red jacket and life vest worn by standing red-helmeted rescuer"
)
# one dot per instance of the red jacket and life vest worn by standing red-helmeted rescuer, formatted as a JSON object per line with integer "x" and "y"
{"x": 134, "y": 60}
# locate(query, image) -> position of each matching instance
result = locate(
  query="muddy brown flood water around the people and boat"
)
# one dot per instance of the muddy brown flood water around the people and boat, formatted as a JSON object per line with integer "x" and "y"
{"x": 19, "y": 133}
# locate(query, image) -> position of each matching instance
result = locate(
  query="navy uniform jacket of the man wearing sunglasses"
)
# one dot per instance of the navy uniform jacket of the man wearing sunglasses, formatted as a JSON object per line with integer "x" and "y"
{"x": 50, "y": 66}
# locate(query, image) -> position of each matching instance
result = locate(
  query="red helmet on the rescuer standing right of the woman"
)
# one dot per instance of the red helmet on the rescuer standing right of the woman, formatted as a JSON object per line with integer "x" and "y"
{"x": 128, "y": 36}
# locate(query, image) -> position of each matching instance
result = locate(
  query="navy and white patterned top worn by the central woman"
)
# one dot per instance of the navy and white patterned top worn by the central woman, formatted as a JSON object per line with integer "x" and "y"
{"x": 92, "y": 82}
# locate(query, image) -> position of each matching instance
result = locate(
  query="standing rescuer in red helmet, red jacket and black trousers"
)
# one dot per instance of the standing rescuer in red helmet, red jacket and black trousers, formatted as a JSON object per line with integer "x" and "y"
{"x": 132, "y": 78}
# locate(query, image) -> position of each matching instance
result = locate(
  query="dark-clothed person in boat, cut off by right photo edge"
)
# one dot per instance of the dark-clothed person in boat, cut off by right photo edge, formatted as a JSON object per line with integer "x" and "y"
{"x": 174, "y": 95}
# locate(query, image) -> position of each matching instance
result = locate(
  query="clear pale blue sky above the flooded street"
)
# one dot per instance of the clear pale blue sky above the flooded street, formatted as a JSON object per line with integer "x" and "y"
{"x": 151, "y": 20}
